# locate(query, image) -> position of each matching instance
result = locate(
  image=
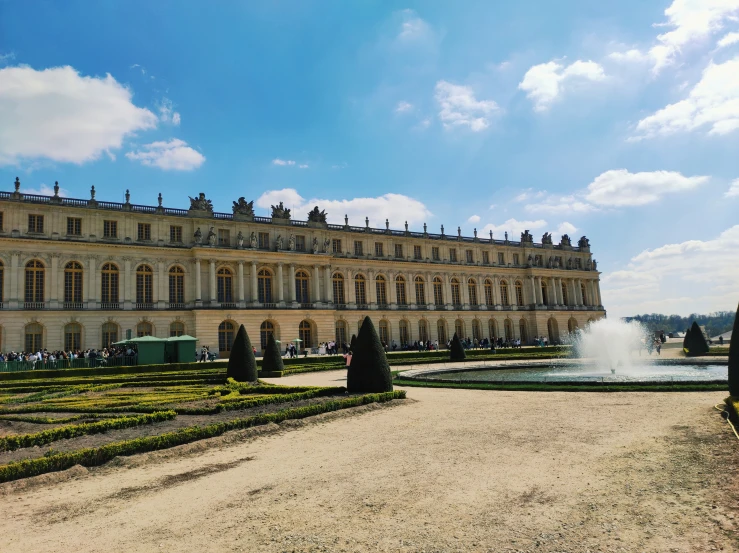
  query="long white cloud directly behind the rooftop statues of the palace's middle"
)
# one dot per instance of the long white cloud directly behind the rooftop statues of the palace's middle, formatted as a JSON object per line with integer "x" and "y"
{"x": 395, "y": 207}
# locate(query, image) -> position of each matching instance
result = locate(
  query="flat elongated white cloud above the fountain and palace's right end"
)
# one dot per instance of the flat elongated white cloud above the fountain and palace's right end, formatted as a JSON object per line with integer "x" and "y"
{"x": 618, "y": 187}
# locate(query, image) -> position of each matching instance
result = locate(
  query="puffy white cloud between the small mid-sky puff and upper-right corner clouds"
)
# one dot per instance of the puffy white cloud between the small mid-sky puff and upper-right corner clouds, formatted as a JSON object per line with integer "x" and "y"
{"x": 543, "y": 83}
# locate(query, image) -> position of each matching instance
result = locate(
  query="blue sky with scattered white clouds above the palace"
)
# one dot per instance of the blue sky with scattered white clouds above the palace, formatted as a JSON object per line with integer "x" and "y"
{"x": 617, "y": 120}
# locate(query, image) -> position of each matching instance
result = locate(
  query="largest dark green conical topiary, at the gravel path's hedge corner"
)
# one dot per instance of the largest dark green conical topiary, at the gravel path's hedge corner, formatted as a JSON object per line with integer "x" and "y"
{"x": 368, "y": 371}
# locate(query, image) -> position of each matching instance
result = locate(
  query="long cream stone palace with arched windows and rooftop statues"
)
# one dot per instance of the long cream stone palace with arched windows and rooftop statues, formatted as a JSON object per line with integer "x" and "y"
{"x": 78, "y": 274}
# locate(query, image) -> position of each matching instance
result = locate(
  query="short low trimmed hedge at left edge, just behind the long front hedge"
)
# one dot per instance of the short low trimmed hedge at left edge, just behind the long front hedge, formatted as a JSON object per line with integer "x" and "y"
{"x": 10, "y": 443}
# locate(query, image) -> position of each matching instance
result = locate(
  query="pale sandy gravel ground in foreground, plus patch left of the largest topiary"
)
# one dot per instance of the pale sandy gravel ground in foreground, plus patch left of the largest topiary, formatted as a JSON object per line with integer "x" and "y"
{"x": 446, "y": 470}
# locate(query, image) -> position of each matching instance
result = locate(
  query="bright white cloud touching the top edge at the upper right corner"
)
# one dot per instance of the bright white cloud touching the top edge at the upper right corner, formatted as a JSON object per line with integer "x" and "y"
{"x": 692, "y": 21}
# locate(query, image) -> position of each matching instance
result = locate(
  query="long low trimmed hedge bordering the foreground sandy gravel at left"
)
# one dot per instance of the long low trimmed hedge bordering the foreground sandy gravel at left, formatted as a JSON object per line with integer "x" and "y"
{"x": 100, "y": 455}
